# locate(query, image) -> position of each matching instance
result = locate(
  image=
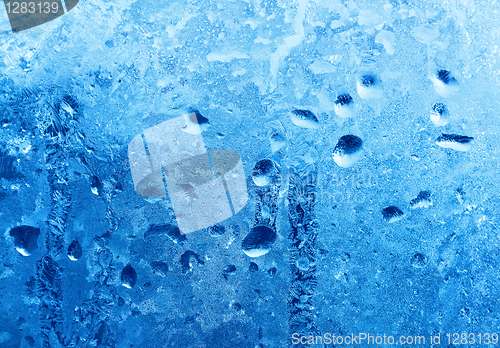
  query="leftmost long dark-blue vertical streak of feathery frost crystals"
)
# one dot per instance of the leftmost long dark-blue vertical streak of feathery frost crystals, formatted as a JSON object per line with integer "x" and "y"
{"x": 49, "y": 273}
